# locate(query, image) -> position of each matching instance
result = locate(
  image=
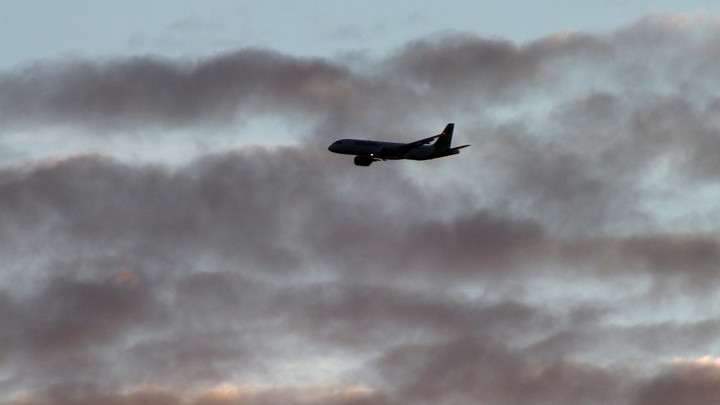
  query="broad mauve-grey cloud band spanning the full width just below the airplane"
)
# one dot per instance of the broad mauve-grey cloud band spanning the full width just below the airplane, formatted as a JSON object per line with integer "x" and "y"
{"x": 221, "y": 205}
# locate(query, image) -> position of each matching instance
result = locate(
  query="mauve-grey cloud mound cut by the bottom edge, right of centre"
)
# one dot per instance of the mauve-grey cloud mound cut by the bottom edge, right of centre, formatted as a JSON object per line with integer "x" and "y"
{"x": 467, "y": 370}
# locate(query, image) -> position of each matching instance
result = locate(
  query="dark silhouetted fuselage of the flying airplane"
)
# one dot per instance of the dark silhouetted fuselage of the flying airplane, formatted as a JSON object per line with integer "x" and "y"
{"x": 383, "y": 150}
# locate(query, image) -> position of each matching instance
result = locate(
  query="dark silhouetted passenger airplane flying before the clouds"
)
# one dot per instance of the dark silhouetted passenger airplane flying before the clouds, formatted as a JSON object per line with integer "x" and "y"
{"x": 367, "y": 152}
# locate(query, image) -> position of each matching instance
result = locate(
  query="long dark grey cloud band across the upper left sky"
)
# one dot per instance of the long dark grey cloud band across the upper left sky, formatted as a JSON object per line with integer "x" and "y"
{"x": 151, "y": 91}
